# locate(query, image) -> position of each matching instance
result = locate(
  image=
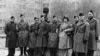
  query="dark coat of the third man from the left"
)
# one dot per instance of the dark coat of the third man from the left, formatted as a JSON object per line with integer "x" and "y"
{"x": 33, "y": 35}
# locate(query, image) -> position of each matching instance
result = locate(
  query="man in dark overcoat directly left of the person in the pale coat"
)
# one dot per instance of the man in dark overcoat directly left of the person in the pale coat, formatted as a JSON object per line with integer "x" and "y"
{"x": 53, "y": 37}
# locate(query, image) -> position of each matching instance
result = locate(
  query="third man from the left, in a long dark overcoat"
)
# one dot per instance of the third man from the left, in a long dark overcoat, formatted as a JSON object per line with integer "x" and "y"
{"x": 33, "y": 32}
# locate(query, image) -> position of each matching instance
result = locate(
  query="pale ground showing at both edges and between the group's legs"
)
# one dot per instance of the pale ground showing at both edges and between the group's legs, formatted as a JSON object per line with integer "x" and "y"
{"x": 4, "y": 51}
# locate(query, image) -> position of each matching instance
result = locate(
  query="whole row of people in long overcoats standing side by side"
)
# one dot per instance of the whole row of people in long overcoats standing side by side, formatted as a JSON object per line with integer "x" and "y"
{"x": 56, "y": 36}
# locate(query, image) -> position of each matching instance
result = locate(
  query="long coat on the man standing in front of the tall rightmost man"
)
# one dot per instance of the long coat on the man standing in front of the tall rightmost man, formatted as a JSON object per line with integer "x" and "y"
{"x": 81, "y": 37}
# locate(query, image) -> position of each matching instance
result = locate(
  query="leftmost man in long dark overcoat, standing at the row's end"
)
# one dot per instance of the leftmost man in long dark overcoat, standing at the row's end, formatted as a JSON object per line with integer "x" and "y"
{"x": 11, "y": 39}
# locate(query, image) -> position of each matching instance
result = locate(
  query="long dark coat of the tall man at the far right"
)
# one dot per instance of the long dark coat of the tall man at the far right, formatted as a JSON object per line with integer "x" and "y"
{"x": 92, "y": 42}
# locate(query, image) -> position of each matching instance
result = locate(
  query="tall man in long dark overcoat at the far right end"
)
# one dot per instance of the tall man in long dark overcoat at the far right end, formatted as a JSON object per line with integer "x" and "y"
{"x": 93, "y": 37}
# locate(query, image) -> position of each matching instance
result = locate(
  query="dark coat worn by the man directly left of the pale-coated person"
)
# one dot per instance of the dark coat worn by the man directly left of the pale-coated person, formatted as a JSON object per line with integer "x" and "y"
{"x": 53, "y": 36}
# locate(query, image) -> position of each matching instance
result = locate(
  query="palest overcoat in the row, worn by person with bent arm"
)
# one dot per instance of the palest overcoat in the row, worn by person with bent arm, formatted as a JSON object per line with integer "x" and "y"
{"x": 64, "y": 38}
